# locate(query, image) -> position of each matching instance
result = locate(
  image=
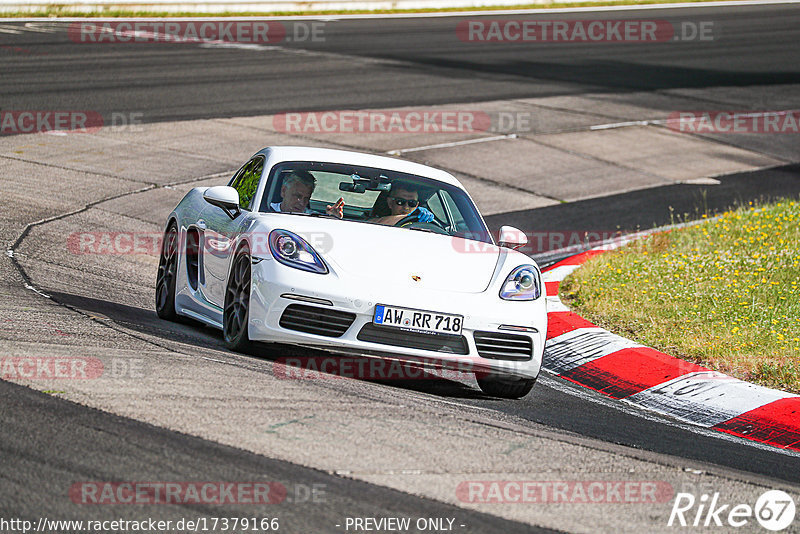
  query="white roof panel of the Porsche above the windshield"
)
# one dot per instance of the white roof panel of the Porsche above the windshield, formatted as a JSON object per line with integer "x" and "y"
{"x": 277, "y": 154}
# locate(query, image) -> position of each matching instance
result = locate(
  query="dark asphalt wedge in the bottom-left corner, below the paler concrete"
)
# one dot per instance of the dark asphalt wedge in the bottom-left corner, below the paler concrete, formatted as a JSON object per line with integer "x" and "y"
{"x": 49, "y": 440}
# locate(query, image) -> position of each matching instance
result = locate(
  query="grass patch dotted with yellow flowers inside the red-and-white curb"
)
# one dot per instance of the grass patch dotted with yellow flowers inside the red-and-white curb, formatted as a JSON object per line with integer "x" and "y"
{"x": 723, "y": 293}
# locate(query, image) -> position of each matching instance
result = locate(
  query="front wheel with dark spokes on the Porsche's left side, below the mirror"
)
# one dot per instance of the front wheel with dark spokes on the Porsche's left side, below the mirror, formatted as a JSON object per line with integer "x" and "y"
{"x": 236, "y": 312}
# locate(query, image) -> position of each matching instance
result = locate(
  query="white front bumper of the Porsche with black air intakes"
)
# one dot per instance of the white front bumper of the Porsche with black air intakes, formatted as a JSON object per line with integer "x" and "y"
{"x": 279, "y": 292}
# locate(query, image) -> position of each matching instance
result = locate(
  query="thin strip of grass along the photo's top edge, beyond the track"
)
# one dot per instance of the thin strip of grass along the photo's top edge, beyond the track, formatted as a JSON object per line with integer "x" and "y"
{"x": 67, "y": 11}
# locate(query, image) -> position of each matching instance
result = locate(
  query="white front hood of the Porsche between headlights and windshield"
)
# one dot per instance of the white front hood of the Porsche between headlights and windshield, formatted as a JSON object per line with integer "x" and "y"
{"x": 397, "y": 257}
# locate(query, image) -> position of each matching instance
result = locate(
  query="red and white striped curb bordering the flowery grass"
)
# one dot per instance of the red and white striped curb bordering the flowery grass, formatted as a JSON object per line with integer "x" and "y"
{"x": 619, "y": 368}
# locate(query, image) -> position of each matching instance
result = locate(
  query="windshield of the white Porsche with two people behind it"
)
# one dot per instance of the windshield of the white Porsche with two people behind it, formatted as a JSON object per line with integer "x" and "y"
{"x": 374, "y": 196}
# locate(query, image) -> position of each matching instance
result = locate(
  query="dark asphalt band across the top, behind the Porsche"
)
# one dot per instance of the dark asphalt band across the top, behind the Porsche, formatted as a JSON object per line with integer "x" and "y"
{"x": 395, "y": 62}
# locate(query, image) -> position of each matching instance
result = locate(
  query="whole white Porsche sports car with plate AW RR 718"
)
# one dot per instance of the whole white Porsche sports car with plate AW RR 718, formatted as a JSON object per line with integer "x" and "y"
{"x": 360, "y": 254}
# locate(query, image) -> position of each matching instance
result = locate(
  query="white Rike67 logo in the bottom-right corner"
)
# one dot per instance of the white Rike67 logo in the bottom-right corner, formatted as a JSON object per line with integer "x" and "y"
{"x": 774, "y": 510}
